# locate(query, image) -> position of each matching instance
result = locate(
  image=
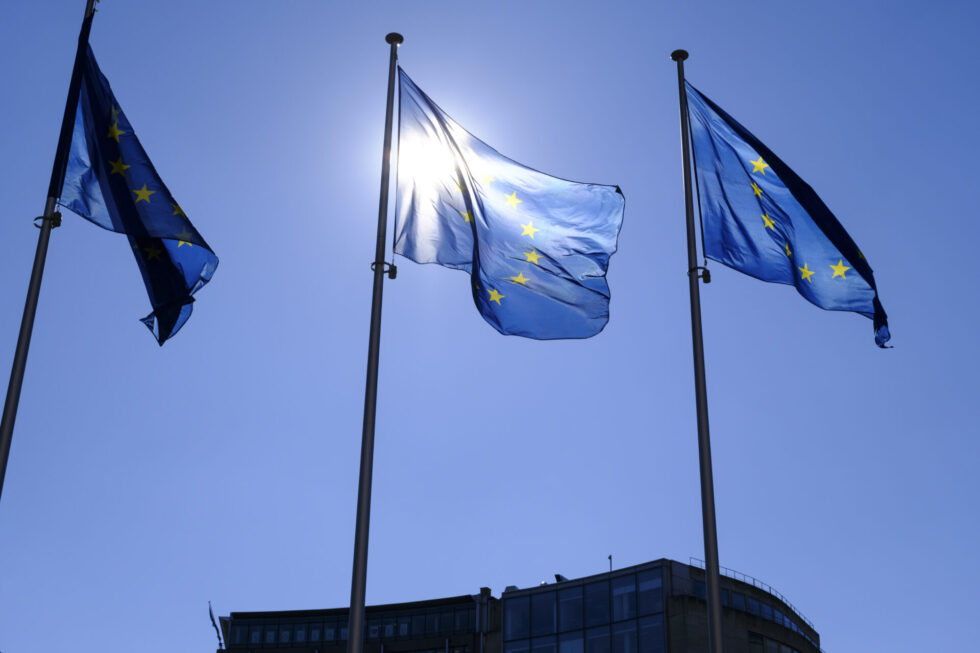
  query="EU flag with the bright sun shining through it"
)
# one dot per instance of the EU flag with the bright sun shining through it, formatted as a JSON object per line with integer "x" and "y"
{"x": 536, "y": 247}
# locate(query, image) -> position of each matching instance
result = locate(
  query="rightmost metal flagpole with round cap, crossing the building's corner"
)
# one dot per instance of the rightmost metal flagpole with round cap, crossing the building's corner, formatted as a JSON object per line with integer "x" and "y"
{"x": 701, "y": 392}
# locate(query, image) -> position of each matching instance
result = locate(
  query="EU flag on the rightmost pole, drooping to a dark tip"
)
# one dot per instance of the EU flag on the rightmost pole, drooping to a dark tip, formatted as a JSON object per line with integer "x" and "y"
{"x": 762, "y": 219}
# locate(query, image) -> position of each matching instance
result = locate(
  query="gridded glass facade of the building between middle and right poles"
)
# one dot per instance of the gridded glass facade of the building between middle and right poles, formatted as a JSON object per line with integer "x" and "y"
{"x": 621, "y": 614}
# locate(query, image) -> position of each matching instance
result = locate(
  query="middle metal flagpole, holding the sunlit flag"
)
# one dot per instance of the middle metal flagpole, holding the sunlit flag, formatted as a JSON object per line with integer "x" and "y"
{"x": 355, "y": 630}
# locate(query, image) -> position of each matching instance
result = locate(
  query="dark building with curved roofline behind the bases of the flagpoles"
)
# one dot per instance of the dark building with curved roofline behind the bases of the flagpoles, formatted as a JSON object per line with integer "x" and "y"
{"x": 657, "y": 607}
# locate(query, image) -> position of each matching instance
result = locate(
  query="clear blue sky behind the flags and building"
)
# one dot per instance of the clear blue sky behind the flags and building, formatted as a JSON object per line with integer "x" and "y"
{"x": 145, "y": 481}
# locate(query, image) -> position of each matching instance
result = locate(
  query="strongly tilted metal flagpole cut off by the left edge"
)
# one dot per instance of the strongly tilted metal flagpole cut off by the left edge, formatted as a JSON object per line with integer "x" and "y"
{"x": 49, "y": 220}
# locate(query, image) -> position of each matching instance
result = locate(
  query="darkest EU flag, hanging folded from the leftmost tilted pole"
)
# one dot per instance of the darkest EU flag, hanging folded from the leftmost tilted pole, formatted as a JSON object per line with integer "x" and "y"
{"x": 111, "y": 182}
